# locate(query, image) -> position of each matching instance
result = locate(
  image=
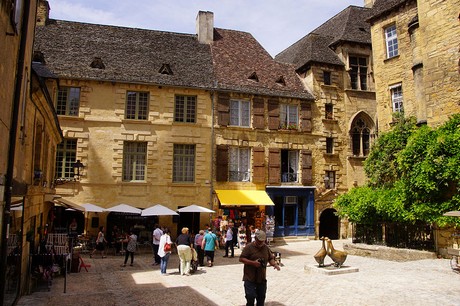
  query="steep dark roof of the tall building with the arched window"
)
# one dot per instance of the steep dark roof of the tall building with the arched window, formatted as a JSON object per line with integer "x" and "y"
{"x": 347, "y": 26}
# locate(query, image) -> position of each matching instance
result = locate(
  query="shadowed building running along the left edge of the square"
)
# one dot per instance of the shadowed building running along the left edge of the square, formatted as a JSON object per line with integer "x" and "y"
{"x": 29, "y": 132}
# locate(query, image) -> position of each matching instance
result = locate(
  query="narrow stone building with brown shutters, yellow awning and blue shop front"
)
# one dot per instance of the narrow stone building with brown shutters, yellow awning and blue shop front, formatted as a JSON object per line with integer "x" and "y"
{"x": 263, "y": 133}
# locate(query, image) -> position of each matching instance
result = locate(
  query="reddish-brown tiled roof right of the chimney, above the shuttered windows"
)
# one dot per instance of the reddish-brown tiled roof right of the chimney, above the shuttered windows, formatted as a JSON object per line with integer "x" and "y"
{"x": 242, "y": 64}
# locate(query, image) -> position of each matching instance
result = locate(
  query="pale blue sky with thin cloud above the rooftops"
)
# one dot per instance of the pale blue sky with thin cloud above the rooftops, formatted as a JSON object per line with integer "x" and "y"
{"x": 276, "y": 24}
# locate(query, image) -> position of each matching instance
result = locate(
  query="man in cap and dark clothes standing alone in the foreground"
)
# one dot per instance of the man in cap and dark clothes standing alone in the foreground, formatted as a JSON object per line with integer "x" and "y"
{"x": 255, "y": 257}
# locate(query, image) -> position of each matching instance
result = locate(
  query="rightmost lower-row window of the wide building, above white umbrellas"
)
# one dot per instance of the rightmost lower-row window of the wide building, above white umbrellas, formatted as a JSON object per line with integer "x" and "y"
{"x": 183, "y": 172}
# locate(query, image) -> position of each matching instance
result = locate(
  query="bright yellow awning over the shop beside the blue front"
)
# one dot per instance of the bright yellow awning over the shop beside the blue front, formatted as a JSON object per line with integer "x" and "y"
{"x": 243, "y": 197}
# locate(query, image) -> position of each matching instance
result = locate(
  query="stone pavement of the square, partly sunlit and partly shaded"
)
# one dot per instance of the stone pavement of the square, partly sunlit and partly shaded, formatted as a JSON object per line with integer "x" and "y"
{"x": 378, "y": 282}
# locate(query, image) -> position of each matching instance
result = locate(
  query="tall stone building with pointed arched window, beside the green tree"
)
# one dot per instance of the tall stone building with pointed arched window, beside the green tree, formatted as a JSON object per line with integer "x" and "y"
{"x": 335, "y": 63}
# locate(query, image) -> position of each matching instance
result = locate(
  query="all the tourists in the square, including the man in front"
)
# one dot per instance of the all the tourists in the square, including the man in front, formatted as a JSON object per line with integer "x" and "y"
{"x": 254, "y": 255}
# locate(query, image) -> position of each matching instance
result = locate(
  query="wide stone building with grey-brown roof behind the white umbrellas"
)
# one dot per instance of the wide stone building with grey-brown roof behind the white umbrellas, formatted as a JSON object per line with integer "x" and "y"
{"x": 135, "y": 109}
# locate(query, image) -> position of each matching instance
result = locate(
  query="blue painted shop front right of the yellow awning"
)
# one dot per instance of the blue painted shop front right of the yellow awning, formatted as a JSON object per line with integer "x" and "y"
{"x": 294, "y": 210}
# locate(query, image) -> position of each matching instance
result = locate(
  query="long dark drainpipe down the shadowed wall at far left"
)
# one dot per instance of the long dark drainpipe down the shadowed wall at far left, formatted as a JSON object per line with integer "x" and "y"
{"x": 12, "y": 148}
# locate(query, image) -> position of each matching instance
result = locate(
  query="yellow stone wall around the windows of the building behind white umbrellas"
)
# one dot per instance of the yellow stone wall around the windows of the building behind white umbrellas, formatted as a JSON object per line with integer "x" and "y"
{"x": 101, "y": 131}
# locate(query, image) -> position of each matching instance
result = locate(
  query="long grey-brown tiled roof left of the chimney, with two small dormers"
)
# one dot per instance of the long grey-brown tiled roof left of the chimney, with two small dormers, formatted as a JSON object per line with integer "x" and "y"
{"x": 101, "y": 52}
